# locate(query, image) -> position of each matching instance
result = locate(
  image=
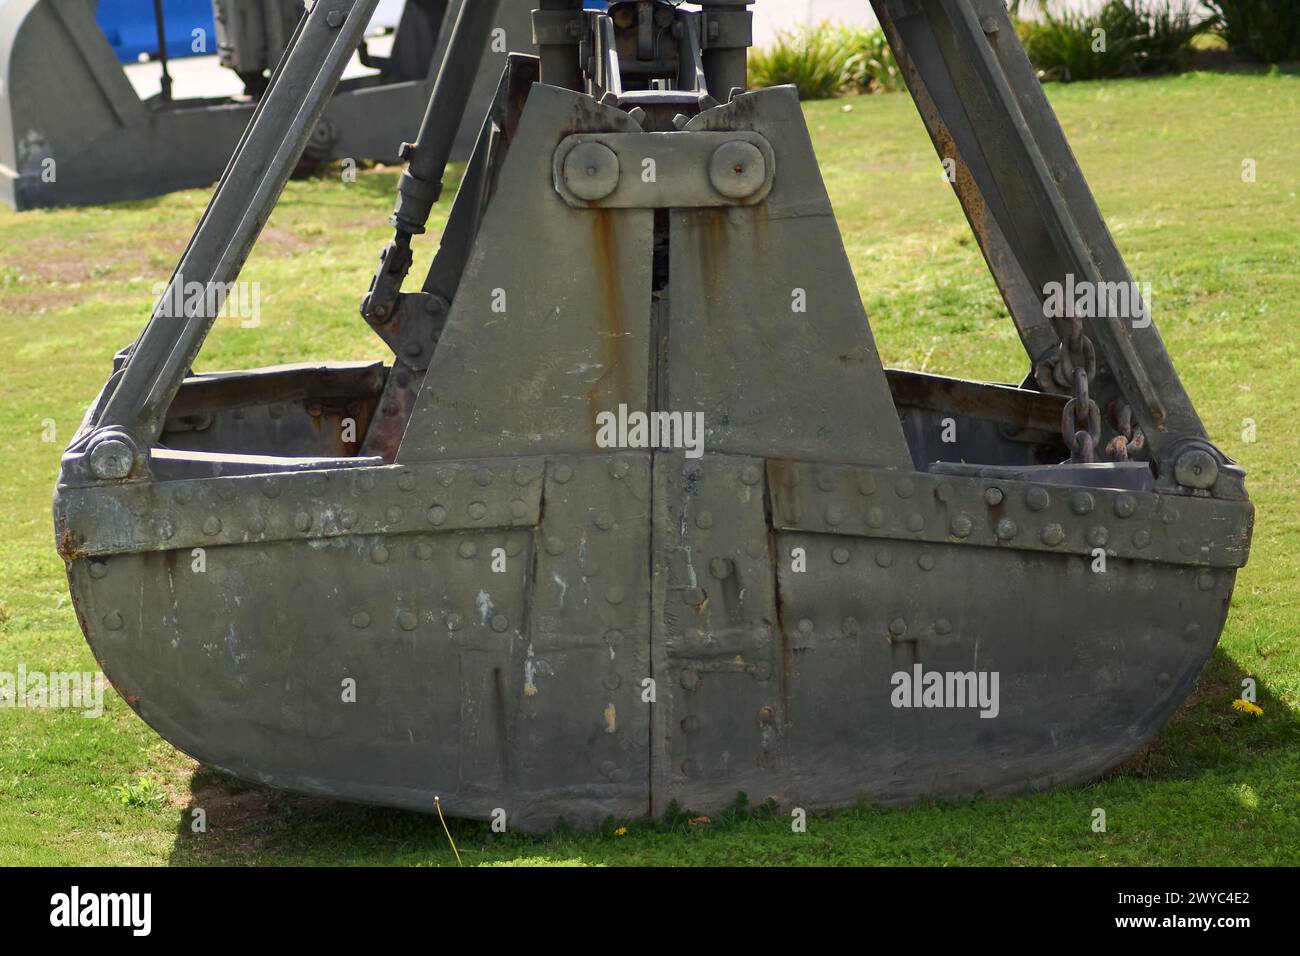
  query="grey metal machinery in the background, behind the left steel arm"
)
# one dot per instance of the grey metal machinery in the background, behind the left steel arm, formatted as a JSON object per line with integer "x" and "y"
{"x": 75, "y": 132}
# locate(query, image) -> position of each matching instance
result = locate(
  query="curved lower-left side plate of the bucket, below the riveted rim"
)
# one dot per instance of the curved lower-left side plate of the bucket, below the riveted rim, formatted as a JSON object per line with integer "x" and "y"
{"x": 367, "y": 667}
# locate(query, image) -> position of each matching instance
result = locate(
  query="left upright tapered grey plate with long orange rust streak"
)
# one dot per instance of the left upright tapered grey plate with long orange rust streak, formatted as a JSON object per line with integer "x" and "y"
{"x": 551, "y": 322}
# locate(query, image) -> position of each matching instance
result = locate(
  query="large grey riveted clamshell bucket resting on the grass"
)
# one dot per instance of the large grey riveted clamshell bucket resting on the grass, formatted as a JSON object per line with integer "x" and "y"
{"x": 638, "y": 514}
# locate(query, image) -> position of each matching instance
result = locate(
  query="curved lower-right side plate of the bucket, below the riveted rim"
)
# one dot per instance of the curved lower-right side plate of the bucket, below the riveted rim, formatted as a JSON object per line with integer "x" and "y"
{"x": 1089, "y": 665}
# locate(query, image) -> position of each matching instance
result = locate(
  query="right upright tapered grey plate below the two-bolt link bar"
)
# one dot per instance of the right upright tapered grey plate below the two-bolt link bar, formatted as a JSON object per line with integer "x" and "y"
{"x": 782, "y": 362}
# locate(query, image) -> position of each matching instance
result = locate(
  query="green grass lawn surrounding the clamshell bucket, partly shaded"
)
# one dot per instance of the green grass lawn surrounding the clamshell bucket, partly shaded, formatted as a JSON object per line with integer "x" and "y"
{"x": 1165, "y": 161}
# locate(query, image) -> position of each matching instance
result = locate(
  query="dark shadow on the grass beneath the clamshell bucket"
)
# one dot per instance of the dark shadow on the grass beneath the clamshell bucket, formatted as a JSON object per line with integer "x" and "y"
{"x": 1207, "y": 738}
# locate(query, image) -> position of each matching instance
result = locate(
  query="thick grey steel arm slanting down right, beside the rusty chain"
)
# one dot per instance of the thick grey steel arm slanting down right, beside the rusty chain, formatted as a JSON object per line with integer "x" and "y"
{"x": 1033, "y": 213}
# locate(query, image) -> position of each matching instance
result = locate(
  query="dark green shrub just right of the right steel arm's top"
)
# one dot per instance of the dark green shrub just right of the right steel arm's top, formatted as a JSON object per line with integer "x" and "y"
{"x": 1121, "y": 38}
